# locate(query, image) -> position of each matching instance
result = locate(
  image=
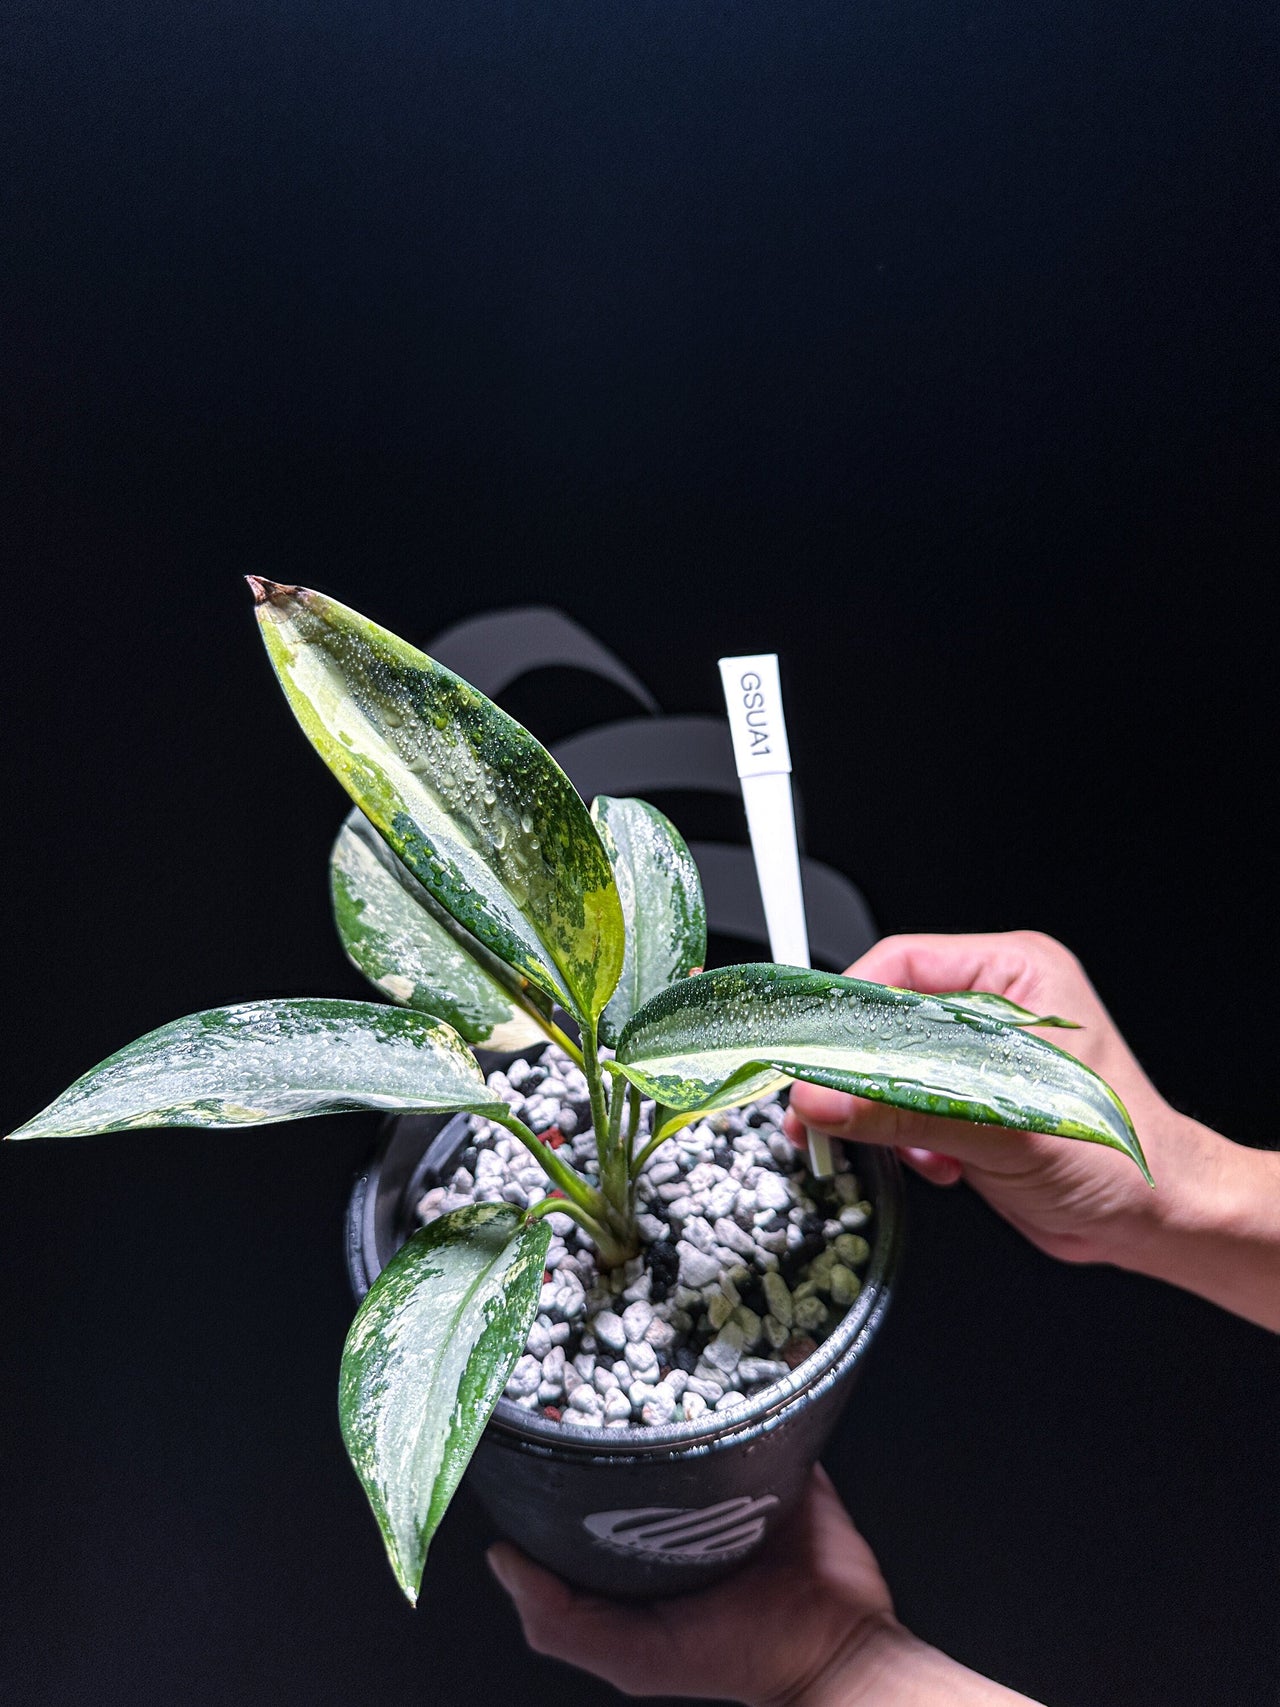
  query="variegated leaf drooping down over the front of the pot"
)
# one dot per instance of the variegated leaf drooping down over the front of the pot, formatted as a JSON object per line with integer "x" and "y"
{"x": 426, "y": 1363}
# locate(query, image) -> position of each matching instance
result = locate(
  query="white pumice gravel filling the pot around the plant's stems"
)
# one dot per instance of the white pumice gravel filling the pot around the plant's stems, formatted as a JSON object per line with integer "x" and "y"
{"x": 747, "y": 1262}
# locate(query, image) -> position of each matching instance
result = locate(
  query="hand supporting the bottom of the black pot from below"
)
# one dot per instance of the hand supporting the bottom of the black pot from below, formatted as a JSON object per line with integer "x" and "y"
{"x": 810, "y": 1624}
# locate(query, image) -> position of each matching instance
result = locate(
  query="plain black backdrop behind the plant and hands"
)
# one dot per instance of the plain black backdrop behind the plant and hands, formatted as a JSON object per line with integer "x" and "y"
{"x": 926, "y": 344}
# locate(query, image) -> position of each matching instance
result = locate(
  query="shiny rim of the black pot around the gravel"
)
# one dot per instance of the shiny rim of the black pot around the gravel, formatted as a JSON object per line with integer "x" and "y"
{"x": 810, "y": 1380}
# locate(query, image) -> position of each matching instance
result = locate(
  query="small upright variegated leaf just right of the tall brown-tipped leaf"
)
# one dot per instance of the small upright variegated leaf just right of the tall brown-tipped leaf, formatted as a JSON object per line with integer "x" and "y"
{"x": 661, "y": 899}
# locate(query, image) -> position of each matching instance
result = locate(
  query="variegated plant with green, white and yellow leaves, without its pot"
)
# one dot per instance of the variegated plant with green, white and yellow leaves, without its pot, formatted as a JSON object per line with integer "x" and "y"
{"x": 480, "y": 897}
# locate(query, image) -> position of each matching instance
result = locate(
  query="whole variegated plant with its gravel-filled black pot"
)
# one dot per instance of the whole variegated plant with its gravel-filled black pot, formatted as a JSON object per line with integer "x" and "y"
{"x": 482, "y": 897}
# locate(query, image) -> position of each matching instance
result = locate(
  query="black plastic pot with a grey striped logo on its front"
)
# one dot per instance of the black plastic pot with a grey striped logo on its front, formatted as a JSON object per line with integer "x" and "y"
{"x": 639, "y": 1512}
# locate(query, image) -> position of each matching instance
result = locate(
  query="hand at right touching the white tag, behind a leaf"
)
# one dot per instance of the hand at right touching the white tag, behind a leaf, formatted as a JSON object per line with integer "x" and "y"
{"x": 1211, "y": 1225}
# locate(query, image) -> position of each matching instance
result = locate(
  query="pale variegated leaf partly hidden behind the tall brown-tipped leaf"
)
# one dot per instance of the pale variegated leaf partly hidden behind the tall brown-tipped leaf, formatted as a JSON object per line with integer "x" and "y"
{"x": 410, "y": 950}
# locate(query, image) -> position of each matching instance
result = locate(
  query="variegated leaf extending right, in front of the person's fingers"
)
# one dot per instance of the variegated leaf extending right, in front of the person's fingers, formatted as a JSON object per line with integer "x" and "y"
{"x": 711, "y": 1035}
